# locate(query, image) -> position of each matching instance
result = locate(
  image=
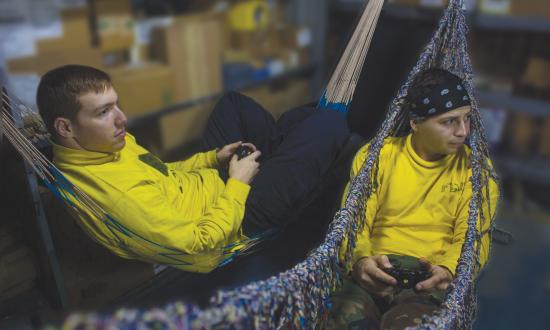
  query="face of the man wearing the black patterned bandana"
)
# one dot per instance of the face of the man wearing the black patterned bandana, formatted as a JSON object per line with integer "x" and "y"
{"x": 444, "y": 134}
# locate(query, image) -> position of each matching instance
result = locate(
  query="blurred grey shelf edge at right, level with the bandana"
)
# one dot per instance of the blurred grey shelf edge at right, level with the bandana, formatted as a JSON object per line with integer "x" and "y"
{"x": 515, "y": 103}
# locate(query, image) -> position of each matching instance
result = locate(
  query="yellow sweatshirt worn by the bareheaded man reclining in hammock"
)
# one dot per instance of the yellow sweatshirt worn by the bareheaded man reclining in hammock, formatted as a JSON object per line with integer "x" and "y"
{"x": 181, "y": 214}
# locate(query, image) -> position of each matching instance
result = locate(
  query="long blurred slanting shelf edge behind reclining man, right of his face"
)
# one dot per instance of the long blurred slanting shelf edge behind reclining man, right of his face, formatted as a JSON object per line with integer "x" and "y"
{"x": 153, "y": 115}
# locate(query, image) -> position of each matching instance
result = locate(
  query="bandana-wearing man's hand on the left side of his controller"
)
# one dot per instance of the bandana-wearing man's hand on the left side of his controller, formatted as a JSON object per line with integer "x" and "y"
{"x": 369, "y": 274}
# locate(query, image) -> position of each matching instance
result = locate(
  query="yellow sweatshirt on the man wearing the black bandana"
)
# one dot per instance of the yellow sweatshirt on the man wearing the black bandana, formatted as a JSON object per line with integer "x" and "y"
{"x": 420, "y": 208}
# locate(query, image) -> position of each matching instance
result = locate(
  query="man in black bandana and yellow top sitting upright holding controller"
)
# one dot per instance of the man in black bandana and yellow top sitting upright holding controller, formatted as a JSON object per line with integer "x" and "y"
{"x": 416, "y": 216}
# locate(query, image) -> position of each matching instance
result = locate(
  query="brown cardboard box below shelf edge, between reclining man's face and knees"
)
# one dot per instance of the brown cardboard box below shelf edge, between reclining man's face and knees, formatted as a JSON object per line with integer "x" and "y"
{"x": 183, "y": 127}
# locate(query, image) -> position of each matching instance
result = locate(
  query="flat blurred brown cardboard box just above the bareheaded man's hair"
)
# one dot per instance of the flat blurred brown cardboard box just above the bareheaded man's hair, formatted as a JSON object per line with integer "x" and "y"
{"x": 44, "y": 62}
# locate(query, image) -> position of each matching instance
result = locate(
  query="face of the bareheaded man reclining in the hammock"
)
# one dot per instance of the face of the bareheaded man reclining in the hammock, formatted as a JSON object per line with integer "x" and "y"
{"x": 100, "y": 124}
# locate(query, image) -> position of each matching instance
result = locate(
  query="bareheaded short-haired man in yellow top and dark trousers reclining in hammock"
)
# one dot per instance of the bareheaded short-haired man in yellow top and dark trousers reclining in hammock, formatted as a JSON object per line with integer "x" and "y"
{"x": 185, "y": 214}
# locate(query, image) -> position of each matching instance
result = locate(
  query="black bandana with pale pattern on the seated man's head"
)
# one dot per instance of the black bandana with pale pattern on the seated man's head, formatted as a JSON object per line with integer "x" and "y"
{"x": 447, "y": 96}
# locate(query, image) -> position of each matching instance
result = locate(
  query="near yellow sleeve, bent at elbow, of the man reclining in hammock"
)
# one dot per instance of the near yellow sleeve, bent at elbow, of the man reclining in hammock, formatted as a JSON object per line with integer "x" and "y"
{"x": 154, "y": 219}
